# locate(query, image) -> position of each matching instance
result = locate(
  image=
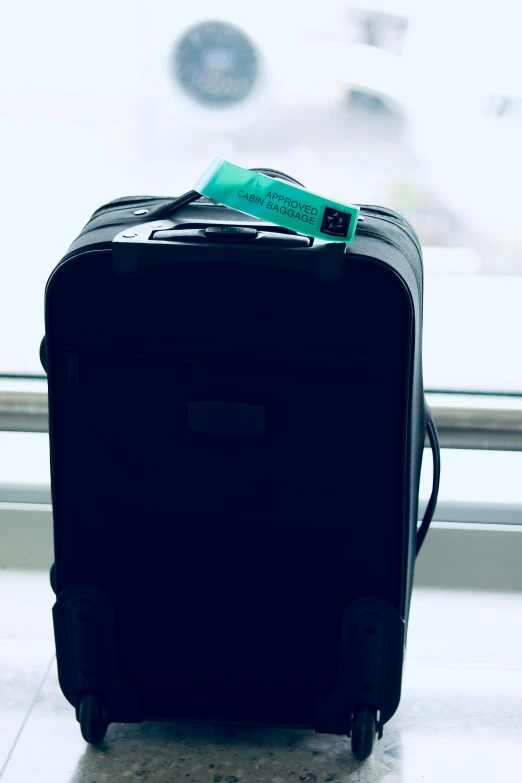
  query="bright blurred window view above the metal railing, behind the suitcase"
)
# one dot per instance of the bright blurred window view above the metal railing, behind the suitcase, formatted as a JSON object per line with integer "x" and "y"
{"x": 413, "y": 105}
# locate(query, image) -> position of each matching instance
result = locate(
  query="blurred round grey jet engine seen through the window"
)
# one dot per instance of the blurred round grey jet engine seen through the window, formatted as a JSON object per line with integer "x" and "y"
{"x": 216, "y": 64}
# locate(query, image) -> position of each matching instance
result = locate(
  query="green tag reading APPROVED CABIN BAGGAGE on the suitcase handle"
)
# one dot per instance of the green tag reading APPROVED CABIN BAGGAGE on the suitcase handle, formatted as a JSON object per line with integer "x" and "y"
{"x": 278, "y": 202}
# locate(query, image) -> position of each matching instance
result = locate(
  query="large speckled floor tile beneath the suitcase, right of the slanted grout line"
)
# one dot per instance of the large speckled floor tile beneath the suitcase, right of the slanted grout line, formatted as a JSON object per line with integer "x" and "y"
{"x": 454, "y": 725}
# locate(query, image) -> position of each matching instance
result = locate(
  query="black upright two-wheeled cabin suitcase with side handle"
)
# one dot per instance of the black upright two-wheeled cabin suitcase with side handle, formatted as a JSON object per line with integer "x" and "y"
{"x": 237, "y": 422}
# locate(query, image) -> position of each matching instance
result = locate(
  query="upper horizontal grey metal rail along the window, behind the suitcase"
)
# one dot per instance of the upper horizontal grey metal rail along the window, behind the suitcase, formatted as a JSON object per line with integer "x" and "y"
{"x": 463, "y": 421}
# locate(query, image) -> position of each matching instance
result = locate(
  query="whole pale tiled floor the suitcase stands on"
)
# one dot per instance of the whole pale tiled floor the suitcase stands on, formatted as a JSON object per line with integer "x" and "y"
{"x": 459, "y": 721}
